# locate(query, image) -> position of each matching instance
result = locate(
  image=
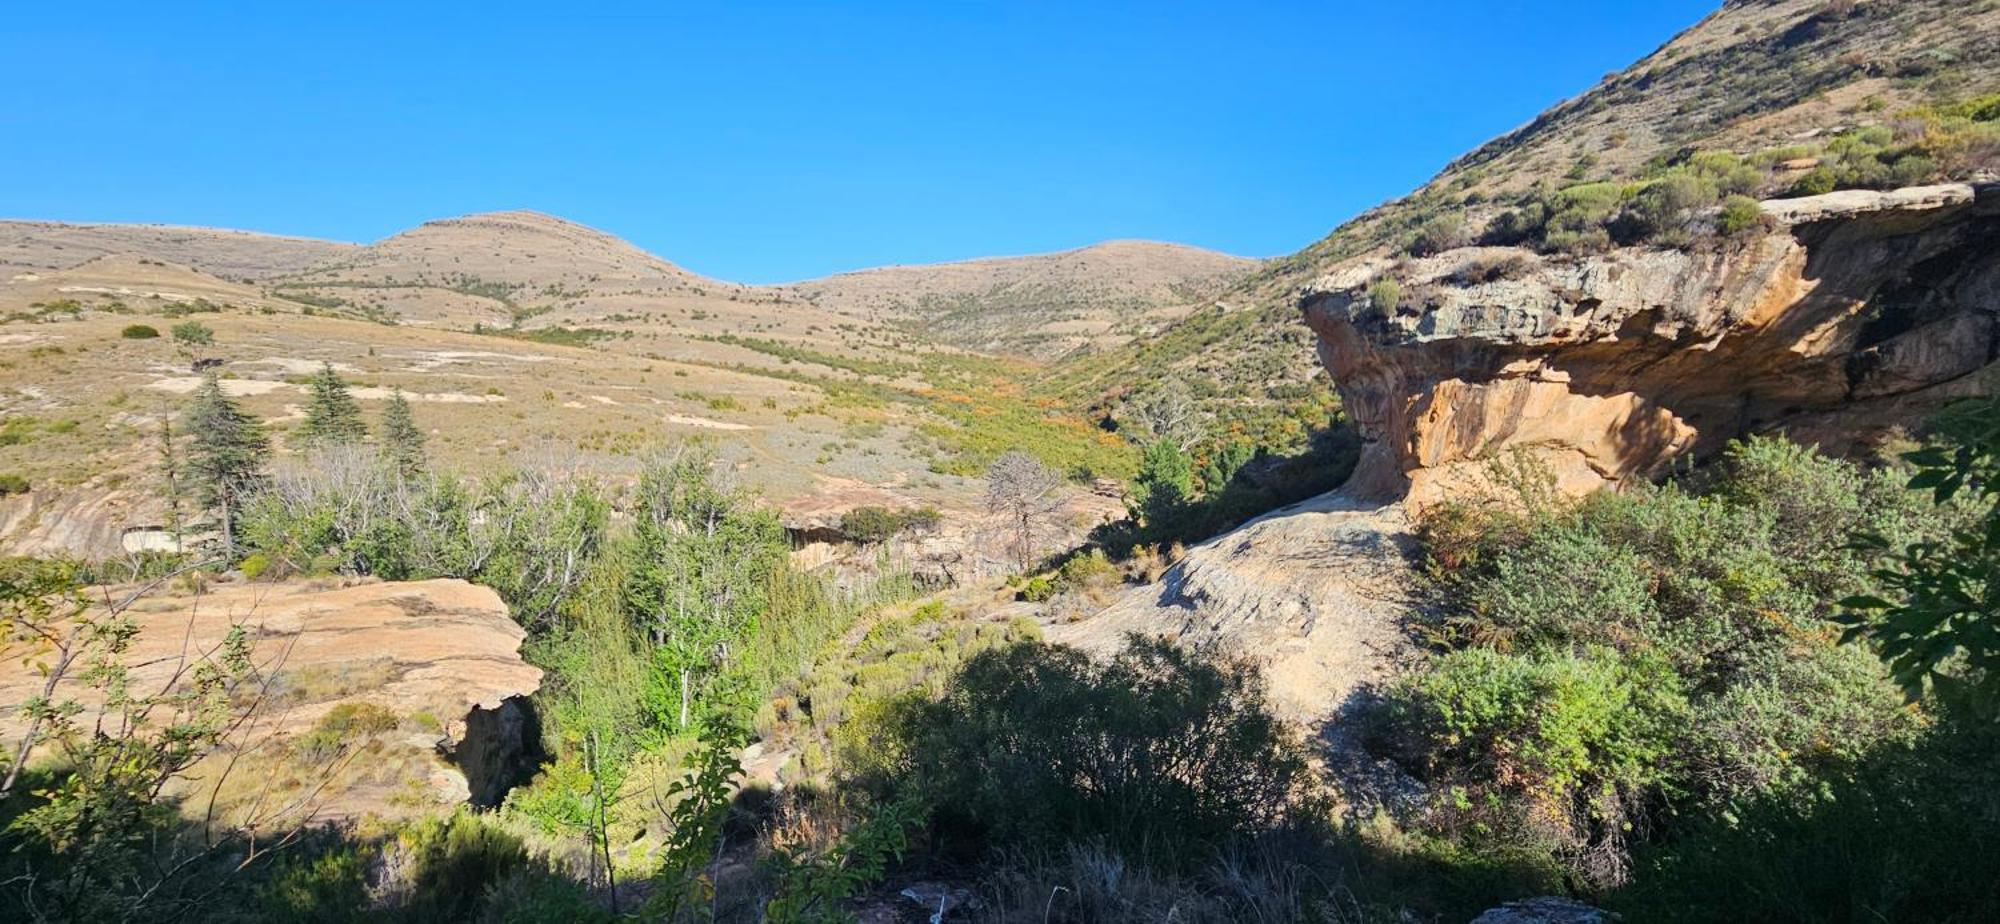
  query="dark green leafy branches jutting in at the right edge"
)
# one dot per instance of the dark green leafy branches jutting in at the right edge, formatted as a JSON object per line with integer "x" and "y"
{"x": 1937, "y": 619}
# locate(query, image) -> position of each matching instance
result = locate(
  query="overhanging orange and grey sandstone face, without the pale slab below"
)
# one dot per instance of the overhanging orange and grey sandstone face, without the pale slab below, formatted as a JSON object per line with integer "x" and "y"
{"x": 1853, "y": 315}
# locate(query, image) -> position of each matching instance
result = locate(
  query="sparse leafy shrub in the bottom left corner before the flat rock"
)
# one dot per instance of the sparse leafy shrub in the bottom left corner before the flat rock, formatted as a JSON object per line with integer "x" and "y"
{"x": 99, "y": 841}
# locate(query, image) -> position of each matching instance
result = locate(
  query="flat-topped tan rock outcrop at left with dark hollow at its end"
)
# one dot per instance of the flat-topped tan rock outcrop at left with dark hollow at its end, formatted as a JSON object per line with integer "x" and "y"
{"x": 437, "y": 659}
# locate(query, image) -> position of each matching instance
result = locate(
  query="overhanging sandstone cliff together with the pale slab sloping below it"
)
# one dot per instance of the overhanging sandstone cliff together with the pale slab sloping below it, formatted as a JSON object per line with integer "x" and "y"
{"x": 1849, "y": 317}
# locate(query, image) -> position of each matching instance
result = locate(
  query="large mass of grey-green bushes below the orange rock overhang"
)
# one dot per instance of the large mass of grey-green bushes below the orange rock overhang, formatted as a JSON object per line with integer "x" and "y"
{"x": 1665, "y": 653}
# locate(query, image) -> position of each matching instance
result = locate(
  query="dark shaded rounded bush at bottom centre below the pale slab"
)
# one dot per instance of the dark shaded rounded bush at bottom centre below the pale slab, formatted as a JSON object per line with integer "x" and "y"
{"x": 1157, "y": 753}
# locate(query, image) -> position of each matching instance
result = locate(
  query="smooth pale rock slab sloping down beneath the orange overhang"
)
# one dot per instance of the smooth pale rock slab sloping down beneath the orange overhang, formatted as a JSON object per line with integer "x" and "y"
{"x": 1315, "y": 593}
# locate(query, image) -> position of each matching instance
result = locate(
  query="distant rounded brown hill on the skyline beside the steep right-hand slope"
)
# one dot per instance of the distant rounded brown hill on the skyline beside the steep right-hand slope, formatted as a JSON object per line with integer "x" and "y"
{"x": 1041, "y": 305}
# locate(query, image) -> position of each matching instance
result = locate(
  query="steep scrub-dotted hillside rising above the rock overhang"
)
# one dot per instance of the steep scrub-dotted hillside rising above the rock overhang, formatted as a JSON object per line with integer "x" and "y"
{"x": 1773, "y": 81}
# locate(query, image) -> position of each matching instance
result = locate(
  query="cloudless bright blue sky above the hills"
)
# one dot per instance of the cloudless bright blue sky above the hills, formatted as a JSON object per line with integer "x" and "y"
{"x": 767, "y": 143}
